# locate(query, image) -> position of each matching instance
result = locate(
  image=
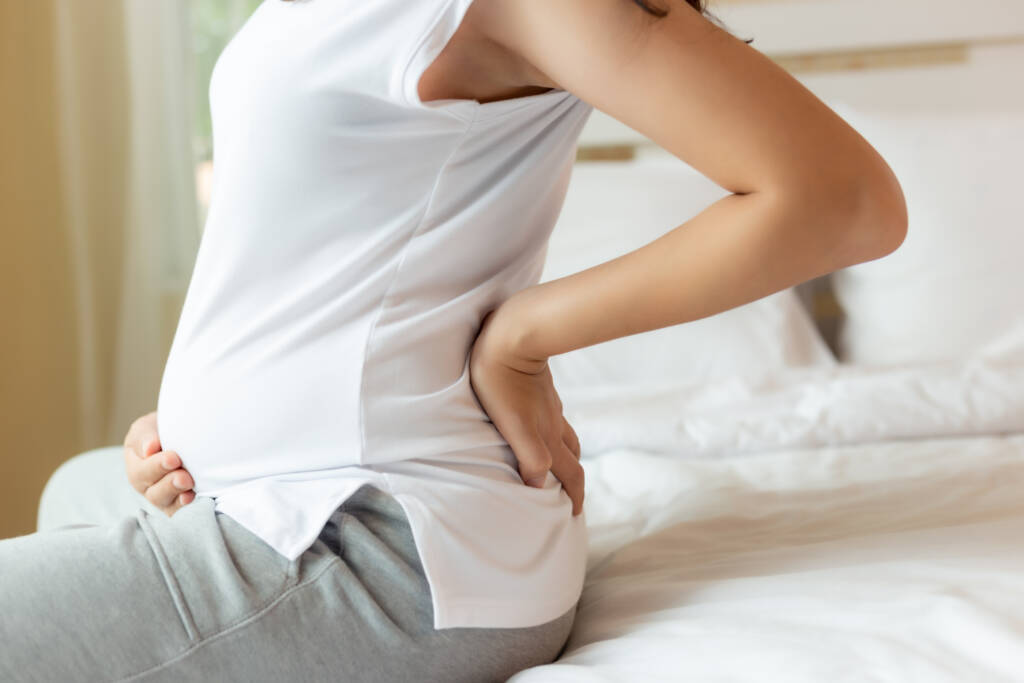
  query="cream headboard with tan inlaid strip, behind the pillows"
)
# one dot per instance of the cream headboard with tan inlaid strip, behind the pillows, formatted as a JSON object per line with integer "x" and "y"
{"x": 909, "y": 56}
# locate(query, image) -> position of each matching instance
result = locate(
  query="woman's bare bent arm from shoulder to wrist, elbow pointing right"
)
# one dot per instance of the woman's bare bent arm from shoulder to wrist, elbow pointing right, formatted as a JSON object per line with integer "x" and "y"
{"x": 812, "y": 196}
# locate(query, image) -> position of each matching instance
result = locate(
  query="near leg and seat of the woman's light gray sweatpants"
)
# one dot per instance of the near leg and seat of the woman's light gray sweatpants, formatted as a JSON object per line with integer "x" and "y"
{"x": 198, "y": 597}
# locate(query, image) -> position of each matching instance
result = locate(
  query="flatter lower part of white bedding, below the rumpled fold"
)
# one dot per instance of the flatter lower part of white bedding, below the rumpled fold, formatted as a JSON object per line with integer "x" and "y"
{"x": 888, "y": 562}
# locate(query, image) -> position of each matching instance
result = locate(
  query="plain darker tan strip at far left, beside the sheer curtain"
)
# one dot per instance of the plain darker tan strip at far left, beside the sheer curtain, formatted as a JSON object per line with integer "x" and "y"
{"x": 38, "y": 413}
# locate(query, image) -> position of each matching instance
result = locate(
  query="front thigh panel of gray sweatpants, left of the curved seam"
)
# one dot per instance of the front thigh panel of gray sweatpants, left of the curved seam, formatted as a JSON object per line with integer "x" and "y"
{"x": 103, "y": 604}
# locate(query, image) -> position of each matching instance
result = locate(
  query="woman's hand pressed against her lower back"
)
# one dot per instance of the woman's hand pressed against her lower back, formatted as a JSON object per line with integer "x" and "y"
{"x": 520, "y": 397}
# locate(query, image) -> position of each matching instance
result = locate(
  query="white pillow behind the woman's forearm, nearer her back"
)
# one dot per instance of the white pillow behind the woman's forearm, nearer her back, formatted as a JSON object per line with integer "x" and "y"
{"x": 613, "y": 208}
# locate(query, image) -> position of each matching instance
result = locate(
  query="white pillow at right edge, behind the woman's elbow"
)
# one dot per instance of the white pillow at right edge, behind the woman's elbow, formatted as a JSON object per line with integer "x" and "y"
{"x": 956, "y": 284}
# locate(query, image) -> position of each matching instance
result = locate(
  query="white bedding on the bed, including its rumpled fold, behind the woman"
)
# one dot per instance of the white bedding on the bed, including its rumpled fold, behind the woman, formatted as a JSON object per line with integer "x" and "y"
{"x": 837, "y": 525}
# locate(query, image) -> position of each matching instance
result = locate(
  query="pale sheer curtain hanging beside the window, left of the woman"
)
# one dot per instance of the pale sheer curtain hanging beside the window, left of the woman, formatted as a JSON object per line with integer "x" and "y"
{"x": 124, "y": 73}
